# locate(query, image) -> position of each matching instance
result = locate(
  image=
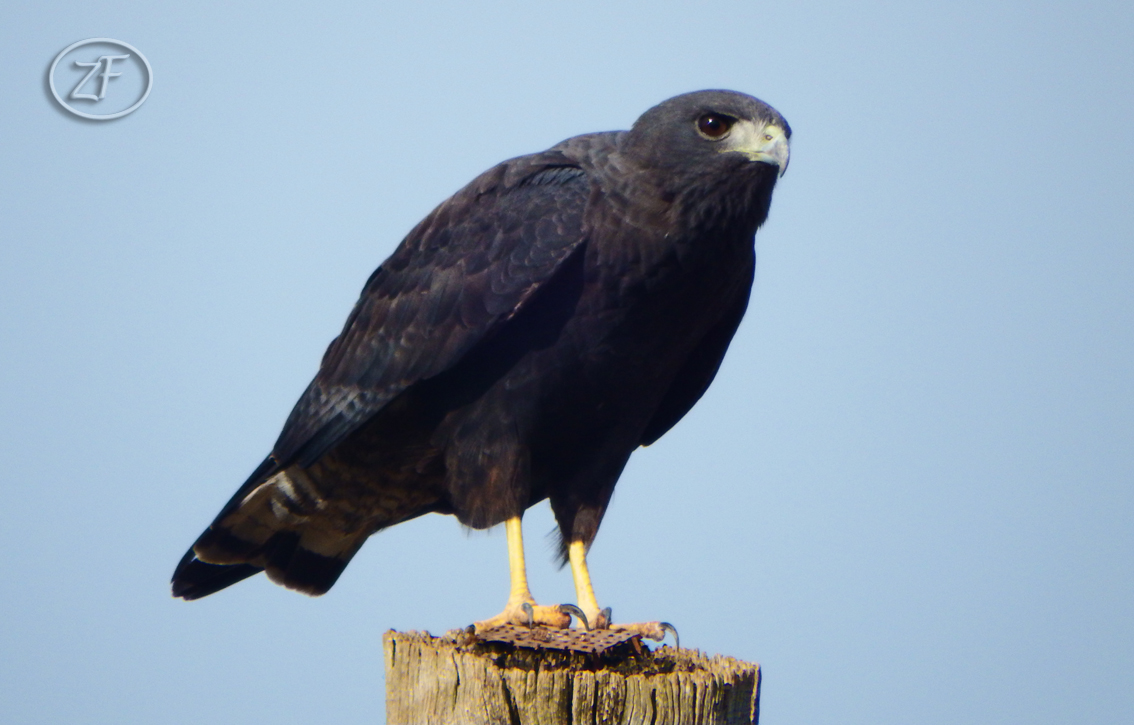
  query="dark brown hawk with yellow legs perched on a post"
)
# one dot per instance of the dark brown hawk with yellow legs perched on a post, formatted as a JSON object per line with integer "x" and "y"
{"x": 522, "y": 342}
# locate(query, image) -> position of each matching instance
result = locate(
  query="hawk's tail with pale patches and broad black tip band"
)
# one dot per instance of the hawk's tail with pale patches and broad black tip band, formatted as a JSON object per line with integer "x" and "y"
{"x": 274, "y": 526}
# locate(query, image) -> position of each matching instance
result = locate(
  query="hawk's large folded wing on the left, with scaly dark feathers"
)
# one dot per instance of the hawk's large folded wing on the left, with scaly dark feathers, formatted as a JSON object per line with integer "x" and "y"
{"x": 464, "y": 271}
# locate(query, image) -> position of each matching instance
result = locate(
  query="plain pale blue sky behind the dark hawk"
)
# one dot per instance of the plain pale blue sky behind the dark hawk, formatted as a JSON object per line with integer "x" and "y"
{"x": 909, "y": 495}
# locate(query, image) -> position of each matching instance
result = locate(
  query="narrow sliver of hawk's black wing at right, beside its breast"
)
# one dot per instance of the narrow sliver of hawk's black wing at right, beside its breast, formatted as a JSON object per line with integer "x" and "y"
{"x": 701, "y": 367}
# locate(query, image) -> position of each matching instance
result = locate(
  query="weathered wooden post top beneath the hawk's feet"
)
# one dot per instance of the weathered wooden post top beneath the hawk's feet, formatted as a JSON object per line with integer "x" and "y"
{"x": 548, "y": 678}
